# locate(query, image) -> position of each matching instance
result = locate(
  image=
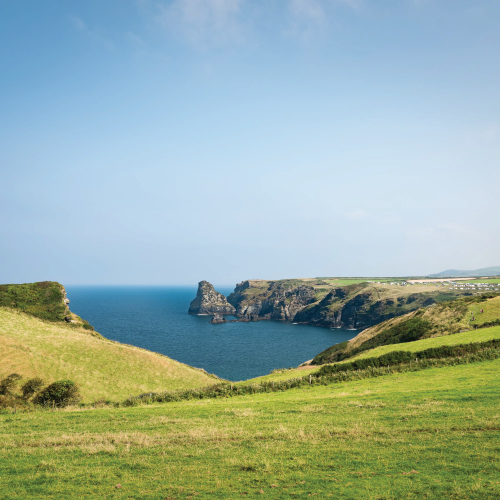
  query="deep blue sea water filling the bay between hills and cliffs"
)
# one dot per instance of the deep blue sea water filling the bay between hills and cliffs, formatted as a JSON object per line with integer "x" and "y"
{"x": 156, "y": 318}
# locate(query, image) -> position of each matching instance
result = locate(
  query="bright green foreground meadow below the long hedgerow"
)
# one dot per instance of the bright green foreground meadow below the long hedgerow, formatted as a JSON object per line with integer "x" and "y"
{"x": 428, "y": 434}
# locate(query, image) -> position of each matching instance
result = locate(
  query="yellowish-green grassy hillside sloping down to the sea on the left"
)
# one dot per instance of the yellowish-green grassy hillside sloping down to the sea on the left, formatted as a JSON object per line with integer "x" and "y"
{"x": 102, "y": 368}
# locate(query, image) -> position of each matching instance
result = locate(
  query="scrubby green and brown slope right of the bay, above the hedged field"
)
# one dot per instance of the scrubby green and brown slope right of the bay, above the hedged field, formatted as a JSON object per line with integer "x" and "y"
{"x": 441, "y": 319}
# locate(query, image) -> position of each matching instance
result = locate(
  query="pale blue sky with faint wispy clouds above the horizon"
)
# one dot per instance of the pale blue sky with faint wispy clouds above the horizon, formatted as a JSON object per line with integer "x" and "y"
{"x": 170, "y": 141}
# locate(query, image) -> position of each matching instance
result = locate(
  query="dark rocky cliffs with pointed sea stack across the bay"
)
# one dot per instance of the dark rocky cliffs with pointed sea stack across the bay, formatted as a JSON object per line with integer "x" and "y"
{"x": 319, "y": 302}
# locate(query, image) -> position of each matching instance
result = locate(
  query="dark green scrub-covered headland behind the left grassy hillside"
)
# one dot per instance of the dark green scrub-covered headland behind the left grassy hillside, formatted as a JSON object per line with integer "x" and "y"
{"x": 45, "y": 300}
